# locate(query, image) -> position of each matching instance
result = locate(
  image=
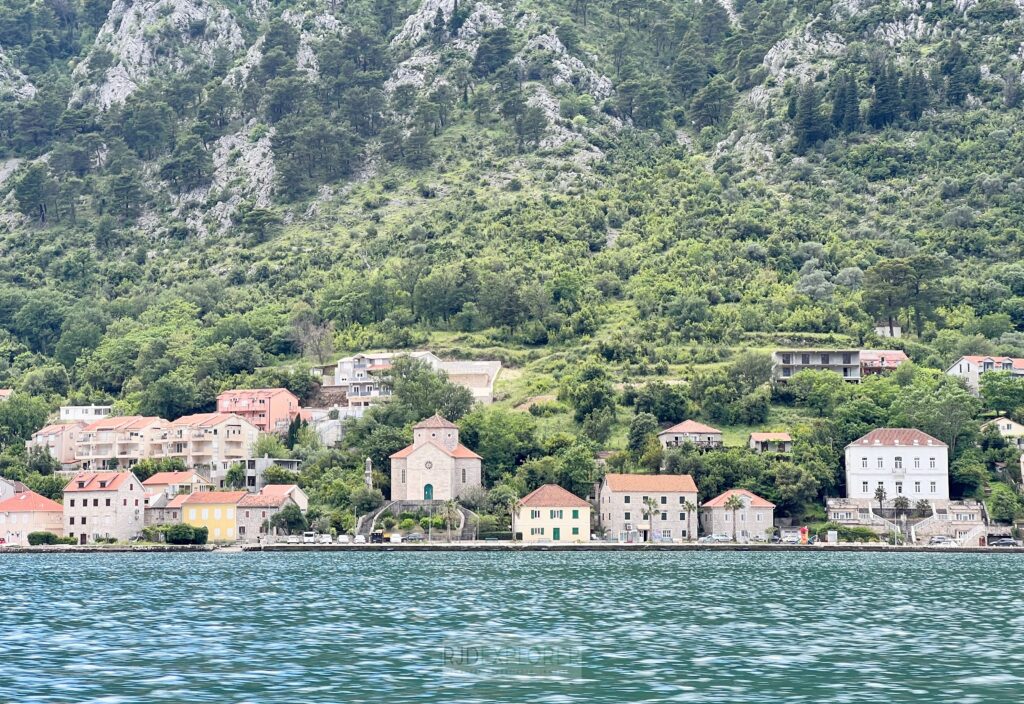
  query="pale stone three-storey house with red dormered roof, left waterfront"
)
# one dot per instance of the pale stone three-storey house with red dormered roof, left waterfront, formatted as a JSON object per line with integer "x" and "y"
{"x": 104, "y": 505}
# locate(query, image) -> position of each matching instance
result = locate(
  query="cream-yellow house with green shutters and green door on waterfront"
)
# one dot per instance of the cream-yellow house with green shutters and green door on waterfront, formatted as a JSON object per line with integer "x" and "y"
{"x": 552, "y": 514}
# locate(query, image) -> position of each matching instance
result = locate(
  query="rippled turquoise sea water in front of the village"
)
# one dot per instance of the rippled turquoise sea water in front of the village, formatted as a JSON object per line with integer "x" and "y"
{"x": 559, "y": 628}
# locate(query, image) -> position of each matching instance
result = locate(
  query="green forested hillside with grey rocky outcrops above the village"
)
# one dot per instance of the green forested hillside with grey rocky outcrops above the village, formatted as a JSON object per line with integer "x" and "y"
{"x": 195, "y": 192}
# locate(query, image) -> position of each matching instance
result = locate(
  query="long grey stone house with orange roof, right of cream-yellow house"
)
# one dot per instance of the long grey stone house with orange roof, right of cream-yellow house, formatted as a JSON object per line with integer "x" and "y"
{"x": 623, "y": 511}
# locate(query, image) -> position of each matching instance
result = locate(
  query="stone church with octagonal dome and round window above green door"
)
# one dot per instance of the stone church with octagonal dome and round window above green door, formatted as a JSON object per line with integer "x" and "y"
{"x": 436, "y": 467}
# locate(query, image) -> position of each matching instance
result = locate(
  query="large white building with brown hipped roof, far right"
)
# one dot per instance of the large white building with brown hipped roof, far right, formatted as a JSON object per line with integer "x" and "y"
{"x": 905, "y": 462}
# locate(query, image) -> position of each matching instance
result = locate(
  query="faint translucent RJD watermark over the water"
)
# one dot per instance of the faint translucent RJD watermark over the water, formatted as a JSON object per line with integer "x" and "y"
{"x": 511, "y": 659}
